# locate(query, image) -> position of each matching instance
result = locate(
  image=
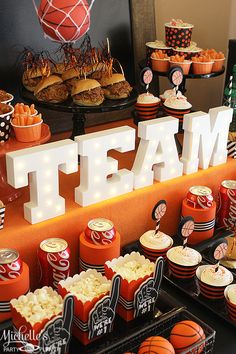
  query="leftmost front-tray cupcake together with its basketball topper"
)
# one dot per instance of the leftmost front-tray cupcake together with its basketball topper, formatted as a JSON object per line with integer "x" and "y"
{"x": 155, "y": 243}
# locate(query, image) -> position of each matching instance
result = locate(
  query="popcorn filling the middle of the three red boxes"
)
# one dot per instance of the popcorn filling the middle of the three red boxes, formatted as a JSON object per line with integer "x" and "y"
{"x": 87, "y": 285}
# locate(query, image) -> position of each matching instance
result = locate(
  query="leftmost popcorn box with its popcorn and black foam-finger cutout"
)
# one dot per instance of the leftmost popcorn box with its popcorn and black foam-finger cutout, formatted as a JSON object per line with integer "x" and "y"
{"x": 42, "y": 321}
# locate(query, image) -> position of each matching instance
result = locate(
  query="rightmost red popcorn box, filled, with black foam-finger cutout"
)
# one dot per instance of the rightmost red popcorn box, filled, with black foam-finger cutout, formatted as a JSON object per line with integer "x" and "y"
{"x": 140, "y": 283}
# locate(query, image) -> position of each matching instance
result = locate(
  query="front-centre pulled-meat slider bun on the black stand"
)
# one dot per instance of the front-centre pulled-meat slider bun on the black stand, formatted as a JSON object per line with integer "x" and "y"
{"x": 87, "y": 92}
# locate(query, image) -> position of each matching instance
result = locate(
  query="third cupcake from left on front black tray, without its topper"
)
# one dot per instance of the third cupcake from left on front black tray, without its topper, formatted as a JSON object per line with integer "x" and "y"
{"x": 213, "y": 282}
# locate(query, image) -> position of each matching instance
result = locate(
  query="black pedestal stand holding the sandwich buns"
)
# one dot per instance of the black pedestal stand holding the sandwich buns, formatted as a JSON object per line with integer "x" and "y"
{"x": 78, "y": 112}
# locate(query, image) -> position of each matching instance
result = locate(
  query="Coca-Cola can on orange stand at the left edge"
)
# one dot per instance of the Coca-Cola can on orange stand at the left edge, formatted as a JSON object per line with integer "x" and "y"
{"x": 10, "y": 264}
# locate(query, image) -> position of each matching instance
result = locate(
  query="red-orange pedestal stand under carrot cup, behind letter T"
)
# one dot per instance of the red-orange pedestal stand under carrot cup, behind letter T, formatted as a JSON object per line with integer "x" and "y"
{"x": 7, "y": 193}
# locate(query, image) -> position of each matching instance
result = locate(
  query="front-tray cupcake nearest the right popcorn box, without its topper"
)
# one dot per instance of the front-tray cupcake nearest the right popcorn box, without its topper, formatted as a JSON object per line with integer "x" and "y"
{"x": 154, "y": 246}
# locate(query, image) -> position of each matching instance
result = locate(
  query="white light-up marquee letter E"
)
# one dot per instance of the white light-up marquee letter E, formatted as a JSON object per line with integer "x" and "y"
{"x": 95, "y": 166}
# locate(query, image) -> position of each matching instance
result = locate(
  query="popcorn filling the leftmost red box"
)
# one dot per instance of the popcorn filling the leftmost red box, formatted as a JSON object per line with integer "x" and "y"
{"x": 42, "y": 304}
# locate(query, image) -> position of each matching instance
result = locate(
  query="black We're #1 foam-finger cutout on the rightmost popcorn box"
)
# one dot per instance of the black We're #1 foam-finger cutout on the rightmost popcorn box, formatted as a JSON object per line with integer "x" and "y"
{"x": 146, "y": 295}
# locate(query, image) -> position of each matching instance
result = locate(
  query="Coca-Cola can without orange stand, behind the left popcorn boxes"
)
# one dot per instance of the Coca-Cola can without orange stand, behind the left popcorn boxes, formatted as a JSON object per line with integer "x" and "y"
{"x": 54, "y": 260}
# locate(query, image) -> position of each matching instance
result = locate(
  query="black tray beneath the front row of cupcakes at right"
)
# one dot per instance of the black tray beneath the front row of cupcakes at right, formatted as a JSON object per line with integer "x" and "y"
{"x": 191, "y": 288}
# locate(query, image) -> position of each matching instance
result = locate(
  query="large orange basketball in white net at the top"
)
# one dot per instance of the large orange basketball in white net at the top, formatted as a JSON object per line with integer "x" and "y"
{"x": 64, "y": 20}
